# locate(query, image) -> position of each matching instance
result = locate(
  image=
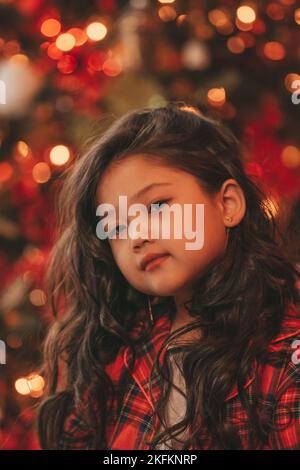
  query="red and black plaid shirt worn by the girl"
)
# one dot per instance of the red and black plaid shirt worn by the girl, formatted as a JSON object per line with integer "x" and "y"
{"x": 132, "y": 427}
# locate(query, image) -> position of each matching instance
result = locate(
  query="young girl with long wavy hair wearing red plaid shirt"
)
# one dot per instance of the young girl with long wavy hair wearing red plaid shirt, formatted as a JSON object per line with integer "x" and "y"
{"x": 230, "y": 309}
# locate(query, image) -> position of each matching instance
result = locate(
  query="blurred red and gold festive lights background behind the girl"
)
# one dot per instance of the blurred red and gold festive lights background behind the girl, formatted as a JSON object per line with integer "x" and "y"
{"x": 69, "y": 68}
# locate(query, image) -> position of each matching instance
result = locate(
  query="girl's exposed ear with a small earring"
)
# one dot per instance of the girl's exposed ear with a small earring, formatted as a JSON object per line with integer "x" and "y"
{"x": 232, "y": 202}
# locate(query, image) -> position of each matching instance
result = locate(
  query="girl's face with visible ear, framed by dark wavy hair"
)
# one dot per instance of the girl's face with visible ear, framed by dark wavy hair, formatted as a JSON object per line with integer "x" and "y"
{"x": 182, "y": 267}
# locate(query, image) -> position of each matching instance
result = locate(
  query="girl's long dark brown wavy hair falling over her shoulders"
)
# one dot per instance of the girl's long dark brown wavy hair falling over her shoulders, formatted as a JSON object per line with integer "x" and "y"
{"x": 239, "y": 302}
